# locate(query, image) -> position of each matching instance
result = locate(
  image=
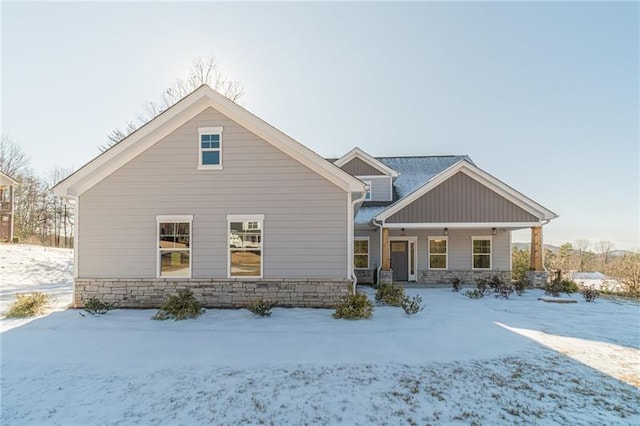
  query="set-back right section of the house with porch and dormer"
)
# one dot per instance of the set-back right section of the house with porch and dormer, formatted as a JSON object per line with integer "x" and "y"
{"x": 428, "y": 219}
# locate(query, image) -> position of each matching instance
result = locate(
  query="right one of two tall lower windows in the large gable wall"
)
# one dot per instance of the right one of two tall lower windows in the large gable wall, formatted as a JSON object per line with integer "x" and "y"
{"x": 245, "y": 246}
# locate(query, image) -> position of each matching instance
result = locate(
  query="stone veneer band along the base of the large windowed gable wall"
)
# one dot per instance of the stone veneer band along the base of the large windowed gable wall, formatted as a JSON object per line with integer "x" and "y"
{"x": 150, "y": 293}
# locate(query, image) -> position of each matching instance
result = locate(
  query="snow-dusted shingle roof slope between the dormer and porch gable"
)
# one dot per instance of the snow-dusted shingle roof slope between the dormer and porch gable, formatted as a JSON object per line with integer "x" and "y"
{"x": 414, "y": 173}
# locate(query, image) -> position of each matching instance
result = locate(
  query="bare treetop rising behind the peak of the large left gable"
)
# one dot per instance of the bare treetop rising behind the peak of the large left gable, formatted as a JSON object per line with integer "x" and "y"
{"x": 202, "y": 71}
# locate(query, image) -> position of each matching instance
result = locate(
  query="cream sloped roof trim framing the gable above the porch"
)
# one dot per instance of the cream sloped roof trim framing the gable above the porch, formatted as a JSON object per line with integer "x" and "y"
{"x": 484, "y": 178}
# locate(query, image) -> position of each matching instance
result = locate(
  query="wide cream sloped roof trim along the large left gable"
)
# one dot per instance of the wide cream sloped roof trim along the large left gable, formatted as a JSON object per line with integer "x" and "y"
{"x": 188, "y": 107}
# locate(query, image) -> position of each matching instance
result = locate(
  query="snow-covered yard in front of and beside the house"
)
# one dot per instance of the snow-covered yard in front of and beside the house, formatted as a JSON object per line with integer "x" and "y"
{"x": 460, "y": 361}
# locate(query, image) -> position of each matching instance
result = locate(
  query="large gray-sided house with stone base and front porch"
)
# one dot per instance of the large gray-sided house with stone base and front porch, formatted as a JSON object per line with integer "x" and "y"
{"x": 209, "y": 197}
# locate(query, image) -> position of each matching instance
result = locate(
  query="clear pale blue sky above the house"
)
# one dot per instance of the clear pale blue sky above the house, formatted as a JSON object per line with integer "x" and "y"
{"x": 542, "y": 95}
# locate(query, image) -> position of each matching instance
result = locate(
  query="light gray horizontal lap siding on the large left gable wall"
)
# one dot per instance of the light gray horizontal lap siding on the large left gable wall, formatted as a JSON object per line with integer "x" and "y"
{"x": 305, "y": 225}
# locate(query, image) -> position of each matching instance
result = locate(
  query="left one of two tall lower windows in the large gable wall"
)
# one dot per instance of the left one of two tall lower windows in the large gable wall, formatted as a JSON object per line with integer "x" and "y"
{"x": 174, "y": 246}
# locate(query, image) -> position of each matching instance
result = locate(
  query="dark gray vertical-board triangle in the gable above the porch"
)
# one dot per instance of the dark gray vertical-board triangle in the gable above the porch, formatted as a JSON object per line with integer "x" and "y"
{"x": 461, "y": 199}
